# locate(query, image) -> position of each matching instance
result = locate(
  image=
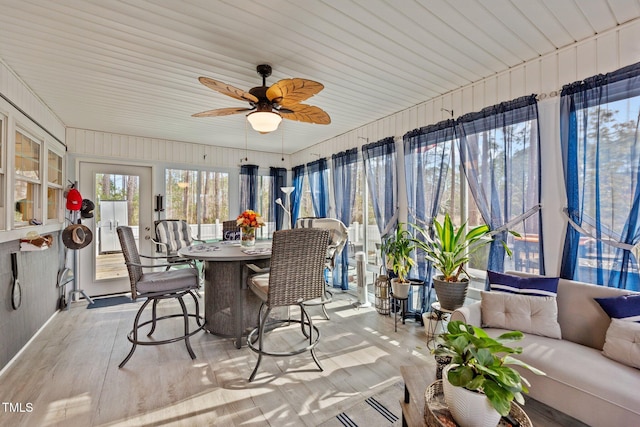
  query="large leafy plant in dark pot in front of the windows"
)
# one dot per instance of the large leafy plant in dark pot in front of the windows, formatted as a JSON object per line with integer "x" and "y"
{"x": 448, "y": 249}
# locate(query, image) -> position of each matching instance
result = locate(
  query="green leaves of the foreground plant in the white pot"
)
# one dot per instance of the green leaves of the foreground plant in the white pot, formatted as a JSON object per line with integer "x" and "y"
{"x": 483, "y": 363}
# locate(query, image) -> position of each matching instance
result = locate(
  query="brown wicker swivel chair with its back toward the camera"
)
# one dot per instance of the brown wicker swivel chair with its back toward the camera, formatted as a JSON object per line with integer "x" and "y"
{"x": 296, "y": 275}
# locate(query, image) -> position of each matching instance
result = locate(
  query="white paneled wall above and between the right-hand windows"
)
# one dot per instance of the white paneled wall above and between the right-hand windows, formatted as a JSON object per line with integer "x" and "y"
{"x": 544, "y": 76}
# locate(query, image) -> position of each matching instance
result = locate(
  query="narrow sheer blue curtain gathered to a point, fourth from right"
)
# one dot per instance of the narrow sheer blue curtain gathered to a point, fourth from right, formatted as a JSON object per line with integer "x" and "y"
{"x": 380, "y": 167}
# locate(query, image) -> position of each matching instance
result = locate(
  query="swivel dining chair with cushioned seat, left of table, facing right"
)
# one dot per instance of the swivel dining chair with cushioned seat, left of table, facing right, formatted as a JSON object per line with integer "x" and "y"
{"x": 156, "y": 286}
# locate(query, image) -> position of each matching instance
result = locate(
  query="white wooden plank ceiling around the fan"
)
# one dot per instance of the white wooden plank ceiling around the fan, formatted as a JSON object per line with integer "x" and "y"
{"x": 131, "y": 66}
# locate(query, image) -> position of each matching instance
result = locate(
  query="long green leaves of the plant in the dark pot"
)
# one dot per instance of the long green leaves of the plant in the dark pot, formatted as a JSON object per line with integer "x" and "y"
{"x": 448, "y": 248}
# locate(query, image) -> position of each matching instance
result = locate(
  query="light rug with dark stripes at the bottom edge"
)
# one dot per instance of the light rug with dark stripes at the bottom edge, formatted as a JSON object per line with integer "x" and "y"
{"x": 381, "y": 409}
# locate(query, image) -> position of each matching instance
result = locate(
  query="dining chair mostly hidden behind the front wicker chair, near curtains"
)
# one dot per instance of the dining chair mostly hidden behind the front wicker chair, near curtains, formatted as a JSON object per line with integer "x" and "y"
{"x": 338, "y": 235}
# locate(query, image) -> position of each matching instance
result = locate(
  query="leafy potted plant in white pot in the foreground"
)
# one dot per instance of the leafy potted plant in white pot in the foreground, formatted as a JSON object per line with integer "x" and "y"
{"x": 480, "y": 370}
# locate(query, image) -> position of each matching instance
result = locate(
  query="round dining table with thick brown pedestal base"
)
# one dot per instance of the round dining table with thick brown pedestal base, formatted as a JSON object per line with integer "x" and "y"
{"x": 231, "y": 308}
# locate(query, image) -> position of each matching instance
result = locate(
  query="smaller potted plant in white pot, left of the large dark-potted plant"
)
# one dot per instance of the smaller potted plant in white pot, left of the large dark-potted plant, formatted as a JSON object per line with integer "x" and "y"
{"x": 396, "y": 250}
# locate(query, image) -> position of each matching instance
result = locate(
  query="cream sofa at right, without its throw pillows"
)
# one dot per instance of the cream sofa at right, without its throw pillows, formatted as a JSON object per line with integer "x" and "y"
{"x": 580, "y": 380}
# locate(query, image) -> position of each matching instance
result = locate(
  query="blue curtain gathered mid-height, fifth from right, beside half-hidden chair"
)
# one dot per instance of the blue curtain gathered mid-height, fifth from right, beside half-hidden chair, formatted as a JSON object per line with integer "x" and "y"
{"x": 345, "y": 166}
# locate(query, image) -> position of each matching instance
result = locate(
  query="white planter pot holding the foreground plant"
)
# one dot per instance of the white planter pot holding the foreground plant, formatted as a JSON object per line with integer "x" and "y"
{"x": 468, "y": 408}
